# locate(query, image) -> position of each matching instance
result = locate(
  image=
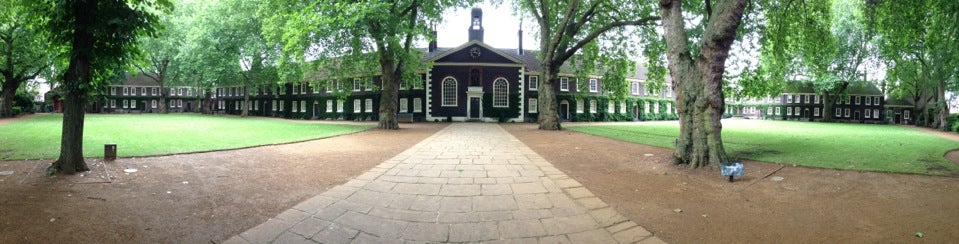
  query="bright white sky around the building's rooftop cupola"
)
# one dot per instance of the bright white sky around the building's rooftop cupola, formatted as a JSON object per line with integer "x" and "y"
{"x": 498, "y": 22}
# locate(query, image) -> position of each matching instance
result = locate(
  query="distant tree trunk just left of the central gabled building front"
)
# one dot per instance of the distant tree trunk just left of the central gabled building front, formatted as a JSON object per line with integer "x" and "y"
{"x": 389, "y": 92}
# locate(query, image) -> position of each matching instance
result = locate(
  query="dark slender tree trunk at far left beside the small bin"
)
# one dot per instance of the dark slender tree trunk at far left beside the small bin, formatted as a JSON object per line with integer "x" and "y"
{"x": 75, "y": 83}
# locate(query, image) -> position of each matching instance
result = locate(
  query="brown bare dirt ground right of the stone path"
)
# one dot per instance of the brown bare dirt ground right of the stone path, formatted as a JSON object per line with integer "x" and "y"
{"x": 807, "y": 206}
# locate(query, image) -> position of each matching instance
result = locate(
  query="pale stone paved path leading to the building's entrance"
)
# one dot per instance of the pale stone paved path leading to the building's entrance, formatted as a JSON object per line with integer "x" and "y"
{"x": 470, "y": 182}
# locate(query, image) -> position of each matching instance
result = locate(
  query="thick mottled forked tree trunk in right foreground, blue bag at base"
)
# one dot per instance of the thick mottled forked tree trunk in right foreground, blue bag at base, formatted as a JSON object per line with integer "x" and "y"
{"x": 700, "y": 100}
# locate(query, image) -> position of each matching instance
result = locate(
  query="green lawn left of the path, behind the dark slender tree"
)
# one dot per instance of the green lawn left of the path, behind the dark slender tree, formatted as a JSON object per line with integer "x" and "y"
{"x": 155, "y": 134}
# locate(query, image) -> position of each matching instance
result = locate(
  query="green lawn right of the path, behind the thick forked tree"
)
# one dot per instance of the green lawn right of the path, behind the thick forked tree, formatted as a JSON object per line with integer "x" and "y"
{"x": 884, "y": 148}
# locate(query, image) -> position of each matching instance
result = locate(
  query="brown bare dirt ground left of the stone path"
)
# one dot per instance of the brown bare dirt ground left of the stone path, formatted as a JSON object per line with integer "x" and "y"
{"x": 190, "y": 198}
